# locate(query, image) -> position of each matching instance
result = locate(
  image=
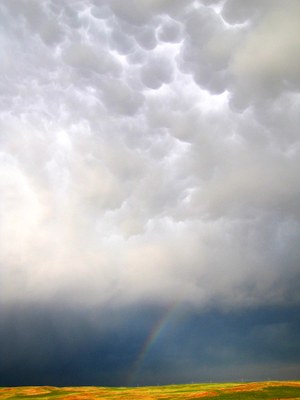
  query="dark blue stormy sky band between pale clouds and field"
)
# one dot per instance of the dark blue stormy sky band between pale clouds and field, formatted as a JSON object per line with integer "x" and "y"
{"x": 59, "y": 346}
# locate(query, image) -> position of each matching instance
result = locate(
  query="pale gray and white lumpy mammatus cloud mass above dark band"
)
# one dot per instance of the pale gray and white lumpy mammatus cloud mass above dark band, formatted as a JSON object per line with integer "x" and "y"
{"x": 150, "y": 153}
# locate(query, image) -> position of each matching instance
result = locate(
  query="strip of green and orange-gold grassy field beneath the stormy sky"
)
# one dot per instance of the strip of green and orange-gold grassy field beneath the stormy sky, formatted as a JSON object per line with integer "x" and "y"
{"x": 218, "y": 391}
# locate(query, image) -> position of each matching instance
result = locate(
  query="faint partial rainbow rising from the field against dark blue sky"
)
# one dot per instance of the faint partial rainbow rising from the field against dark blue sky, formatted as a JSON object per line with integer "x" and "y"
{"x": 153, "y": 336}
